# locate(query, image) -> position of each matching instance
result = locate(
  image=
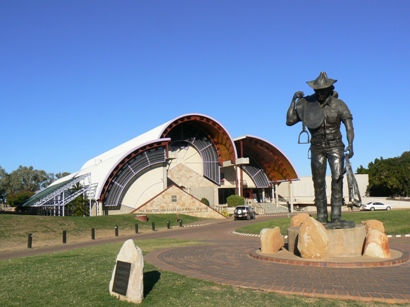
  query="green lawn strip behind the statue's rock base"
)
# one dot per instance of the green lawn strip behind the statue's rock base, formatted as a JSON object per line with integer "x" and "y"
{"x": 395, "y": 222}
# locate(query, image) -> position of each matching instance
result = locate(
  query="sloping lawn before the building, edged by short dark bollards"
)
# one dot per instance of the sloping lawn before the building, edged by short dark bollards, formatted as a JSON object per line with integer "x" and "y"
{"x": 47, "y": 230}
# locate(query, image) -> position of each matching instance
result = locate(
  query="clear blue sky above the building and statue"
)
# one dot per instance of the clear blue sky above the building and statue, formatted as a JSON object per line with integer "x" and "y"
{"x": 79, "y": 77}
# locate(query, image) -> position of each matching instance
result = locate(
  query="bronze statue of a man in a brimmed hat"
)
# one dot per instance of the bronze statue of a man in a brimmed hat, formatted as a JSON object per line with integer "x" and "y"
{"x": 322, "y": 113}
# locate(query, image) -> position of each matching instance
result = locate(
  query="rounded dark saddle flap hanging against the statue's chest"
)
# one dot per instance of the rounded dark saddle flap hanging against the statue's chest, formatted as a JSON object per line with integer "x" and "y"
{"x": 311, "y": 113}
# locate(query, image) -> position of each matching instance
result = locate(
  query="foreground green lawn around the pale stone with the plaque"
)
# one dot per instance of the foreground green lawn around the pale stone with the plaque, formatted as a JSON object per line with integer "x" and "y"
{"x": 81, "y": 277}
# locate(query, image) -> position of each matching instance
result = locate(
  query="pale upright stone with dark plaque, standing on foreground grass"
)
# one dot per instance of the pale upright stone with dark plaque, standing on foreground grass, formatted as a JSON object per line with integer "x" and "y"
{"x": 127, "y": 277}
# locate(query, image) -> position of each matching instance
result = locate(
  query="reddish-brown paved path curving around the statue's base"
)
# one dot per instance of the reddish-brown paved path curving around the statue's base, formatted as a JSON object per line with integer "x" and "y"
{"x": 226, "y": 260}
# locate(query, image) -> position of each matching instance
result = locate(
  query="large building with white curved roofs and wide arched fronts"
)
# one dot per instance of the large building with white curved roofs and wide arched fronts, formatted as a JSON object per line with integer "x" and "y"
{"x": 188, "y": 151}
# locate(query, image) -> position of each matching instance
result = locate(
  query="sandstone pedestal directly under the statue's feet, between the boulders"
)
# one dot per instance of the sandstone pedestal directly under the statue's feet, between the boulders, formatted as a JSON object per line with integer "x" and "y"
{"x": 342, "y": 242}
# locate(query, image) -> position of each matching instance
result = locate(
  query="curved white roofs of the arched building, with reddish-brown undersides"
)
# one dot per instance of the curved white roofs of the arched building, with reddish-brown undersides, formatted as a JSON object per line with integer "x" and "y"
{"x": 99, "y": 169}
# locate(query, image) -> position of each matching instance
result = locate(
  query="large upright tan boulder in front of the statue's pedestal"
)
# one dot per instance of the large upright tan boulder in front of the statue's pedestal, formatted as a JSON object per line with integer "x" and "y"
{"x": 313, "y": 239}
